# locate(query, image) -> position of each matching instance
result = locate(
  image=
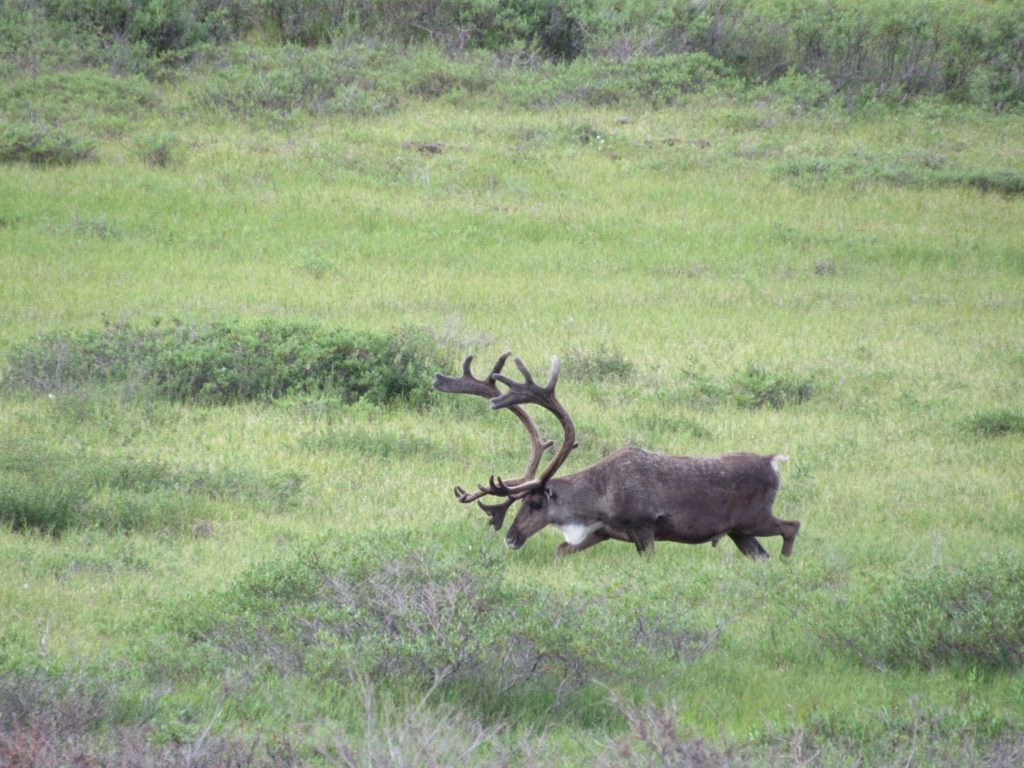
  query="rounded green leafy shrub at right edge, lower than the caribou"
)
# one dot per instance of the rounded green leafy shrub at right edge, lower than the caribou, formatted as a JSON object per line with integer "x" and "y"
{"x": 967, "y": 618}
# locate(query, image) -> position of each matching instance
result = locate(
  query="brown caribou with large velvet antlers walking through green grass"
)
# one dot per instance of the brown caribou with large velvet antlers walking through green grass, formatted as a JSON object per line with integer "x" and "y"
{"x": 632, "y": 495}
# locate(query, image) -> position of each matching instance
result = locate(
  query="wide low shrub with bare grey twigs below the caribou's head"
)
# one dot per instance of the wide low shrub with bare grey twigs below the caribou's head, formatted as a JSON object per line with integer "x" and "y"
{"x": 431, "y": 620}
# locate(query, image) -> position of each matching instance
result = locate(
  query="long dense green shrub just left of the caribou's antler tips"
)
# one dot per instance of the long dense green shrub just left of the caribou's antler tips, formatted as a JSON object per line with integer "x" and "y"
{"x": 232, "y": 362}
